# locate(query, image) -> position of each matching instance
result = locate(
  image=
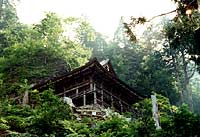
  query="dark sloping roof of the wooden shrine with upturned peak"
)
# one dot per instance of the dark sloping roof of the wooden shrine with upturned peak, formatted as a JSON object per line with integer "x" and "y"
{"x": 107, "y": 73}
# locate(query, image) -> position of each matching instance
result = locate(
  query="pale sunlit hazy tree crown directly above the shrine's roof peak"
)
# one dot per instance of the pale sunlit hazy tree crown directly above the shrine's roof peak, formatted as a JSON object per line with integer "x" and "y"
{"x": 85, "y": 34}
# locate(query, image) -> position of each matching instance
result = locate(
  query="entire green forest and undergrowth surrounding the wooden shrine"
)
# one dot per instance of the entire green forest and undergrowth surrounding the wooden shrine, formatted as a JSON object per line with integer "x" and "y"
{"x": 164, "y": 61}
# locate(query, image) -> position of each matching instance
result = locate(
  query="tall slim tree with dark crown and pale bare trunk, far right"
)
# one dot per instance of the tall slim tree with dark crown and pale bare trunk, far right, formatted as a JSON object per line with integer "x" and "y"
{"x": 180, "y": 41}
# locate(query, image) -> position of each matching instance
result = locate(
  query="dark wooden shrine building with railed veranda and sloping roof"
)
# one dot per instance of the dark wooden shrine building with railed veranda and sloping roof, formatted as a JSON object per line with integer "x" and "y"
{"x": 94, "y": 84}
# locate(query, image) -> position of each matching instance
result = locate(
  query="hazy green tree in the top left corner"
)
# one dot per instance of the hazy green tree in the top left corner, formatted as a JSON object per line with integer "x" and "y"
{"x": 9, "y": 24}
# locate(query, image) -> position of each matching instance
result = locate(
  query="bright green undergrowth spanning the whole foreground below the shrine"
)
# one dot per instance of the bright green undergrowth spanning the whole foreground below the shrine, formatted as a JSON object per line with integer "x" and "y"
{"x": 51, "y": 117}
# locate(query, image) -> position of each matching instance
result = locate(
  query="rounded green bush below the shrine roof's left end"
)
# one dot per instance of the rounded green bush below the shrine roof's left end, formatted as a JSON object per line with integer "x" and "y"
{"x": 48, "y": 113}
